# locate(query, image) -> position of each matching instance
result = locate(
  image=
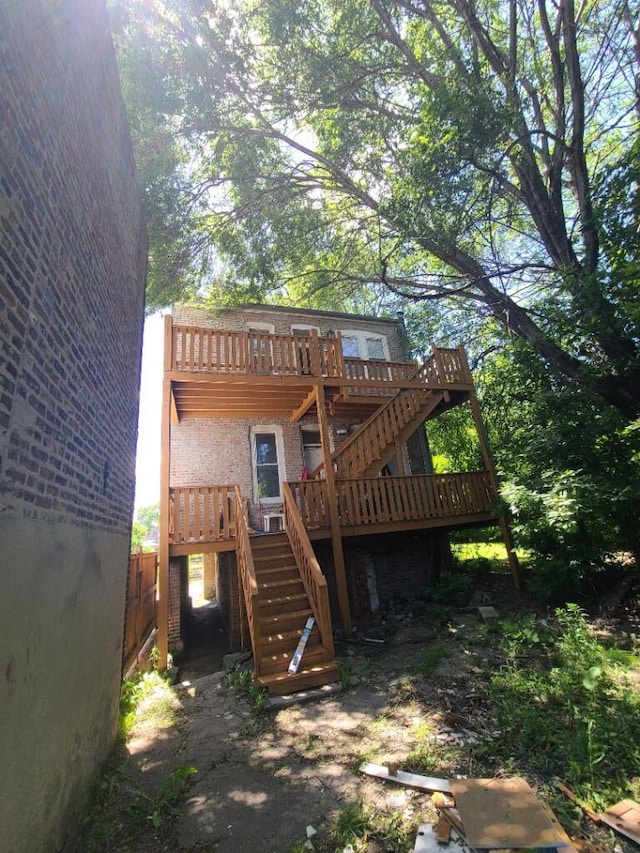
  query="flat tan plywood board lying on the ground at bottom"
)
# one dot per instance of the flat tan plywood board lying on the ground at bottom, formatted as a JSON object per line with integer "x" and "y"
{"x": 503, "y": 813}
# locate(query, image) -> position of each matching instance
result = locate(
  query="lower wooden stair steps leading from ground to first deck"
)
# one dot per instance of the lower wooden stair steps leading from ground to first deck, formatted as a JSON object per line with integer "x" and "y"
{"x": 284, "y": 608}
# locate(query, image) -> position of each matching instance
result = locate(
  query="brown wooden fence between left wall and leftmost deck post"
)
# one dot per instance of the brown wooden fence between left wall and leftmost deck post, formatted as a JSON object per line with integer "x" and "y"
{"x": 140, "y": 609}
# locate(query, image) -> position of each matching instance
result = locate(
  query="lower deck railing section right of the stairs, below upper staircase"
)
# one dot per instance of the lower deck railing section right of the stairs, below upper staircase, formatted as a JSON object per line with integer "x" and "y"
{"x": 381, "y": 500}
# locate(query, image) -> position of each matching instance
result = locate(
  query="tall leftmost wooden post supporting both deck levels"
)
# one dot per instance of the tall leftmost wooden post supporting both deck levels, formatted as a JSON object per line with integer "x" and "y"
{"x": 165, "y": 467}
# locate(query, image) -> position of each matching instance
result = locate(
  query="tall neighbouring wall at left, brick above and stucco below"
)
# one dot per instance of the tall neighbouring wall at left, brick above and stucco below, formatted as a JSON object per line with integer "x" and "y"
{"x": 72, "y": 263}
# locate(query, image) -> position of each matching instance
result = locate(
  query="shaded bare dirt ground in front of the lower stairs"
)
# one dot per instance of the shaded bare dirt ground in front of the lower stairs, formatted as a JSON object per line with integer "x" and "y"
{"x": 264, "y": 777}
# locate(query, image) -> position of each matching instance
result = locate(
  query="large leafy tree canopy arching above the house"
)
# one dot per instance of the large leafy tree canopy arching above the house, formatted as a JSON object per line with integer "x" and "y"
{"x": 479, "y": 151}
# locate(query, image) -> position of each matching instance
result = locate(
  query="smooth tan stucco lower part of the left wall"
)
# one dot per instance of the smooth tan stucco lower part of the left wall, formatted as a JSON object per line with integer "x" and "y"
{"x": 61, "y": 622}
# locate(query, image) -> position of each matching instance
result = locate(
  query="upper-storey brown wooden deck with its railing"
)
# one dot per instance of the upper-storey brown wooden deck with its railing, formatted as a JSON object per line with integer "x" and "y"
{"x": 214, "y": 373}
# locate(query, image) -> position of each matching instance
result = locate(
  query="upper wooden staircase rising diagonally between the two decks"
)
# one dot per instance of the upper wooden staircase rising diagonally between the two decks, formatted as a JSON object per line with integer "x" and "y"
{"x": 367, "y": 451}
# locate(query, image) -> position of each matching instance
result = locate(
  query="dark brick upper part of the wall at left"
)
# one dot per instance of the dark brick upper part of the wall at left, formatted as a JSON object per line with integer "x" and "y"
{"x": 70, "y": 270}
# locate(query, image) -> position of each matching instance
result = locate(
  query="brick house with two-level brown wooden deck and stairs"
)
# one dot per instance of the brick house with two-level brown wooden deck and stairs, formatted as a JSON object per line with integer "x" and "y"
{"x": 294, "y": 460}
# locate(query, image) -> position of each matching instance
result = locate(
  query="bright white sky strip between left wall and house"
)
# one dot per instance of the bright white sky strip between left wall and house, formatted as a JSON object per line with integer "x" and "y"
{"x": 148, "y": 453}
